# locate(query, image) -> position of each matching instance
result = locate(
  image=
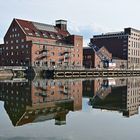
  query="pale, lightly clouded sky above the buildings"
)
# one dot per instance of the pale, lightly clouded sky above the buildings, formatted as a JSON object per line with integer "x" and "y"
{"x": 85, "y": 17}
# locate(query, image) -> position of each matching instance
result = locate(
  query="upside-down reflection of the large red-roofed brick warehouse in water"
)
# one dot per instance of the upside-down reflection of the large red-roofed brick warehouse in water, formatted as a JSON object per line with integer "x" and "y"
{"x": 39, "y": 100}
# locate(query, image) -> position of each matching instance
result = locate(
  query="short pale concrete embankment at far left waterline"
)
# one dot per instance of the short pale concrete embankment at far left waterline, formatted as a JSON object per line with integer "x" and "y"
{"x": 5, "y": 74}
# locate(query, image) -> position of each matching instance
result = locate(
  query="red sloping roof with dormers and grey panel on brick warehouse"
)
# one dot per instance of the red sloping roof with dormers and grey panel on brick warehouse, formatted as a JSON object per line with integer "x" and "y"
{"x": 42, "y": 30}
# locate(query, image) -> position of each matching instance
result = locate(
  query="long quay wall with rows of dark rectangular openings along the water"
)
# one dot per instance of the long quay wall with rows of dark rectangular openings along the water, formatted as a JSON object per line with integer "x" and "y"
{"x": 90, "y": 73}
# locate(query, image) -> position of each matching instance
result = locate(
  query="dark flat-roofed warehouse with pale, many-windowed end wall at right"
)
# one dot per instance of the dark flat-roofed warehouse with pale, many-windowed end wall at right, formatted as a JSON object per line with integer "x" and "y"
{"x": 123, "y": 45}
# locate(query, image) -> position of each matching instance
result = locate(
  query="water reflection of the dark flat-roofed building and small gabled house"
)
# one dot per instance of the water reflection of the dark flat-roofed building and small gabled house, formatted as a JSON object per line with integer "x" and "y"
{"x": 121, "y": 95}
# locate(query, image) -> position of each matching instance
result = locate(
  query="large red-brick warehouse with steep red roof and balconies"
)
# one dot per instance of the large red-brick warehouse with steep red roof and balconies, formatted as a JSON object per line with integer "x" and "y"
{"x": 29, "y": 43}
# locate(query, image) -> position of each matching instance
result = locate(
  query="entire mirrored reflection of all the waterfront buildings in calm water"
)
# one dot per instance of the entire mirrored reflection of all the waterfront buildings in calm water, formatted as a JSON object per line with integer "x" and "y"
{"x": 41, "y": 99}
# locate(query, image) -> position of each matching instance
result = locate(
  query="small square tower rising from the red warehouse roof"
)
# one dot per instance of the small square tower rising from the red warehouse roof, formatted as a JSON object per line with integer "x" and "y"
{"x": 61, "y": 24}
